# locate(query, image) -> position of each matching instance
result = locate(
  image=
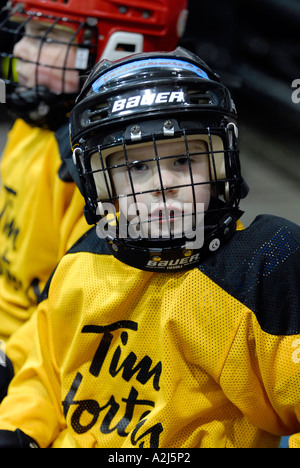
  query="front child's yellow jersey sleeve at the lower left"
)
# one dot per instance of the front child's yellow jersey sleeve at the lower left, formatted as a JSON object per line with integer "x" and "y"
{"x": 33, "y": 404}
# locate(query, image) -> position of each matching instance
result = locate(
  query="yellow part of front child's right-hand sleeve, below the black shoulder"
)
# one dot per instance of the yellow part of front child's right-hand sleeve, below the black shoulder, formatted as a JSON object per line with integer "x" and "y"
{"x": 261, "y": 376}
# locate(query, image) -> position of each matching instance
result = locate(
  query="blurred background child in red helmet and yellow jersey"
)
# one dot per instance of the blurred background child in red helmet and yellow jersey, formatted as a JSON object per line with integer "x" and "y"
{"x": 41, "y": 210}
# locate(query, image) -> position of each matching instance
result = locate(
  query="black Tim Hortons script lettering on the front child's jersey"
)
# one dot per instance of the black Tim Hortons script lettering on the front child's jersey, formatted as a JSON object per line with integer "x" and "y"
{"x": 114, "y": 410}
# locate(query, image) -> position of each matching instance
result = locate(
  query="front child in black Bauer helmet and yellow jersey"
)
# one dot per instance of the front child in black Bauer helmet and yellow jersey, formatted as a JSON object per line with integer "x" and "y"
{"x": 160, "y": 337}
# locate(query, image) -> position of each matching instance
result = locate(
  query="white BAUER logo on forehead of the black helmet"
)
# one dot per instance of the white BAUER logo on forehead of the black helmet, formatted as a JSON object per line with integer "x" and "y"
{"x": 149, "y": 98}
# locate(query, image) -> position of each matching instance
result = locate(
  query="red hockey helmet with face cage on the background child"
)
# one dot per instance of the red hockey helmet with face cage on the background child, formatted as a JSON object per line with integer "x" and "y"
{"x": 101, "y": 29}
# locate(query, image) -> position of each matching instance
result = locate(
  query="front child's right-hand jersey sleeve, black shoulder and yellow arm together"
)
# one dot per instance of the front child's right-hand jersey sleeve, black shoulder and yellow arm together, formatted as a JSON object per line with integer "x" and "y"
{"x": 261, "y": 372}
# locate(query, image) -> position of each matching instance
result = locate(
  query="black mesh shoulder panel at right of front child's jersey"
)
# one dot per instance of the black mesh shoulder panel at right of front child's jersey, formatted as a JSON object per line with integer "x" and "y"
{"x": 260, "y": 267}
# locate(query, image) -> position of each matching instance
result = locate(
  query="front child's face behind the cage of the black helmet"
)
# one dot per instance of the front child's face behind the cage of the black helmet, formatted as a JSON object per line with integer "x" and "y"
{"x": 162, "y": 212}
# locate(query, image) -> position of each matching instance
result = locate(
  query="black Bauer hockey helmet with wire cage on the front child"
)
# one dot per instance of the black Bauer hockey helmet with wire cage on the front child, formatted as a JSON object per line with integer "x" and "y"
{"x": 148, "y": 99}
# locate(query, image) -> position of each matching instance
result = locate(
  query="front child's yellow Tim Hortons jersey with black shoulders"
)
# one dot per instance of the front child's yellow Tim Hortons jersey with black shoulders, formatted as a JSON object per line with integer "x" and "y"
{"x": 204, "y": 358}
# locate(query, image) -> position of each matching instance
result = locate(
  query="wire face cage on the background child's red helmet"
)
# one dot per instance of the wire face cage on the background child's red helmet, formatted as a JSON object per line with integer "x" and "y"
{"x": 41, "y": 31}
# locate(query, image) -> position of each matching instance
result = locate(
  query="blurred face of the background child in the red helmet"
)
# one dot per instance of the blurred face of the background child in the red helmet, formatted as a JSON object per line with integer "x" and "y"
{"x": 40, "y": 52}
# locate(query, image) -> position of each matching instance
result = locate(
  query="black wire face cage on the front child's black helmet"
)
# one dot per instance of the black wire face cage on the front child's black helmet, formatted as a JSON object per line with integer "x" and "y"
{"x": 162, "y": 194}
